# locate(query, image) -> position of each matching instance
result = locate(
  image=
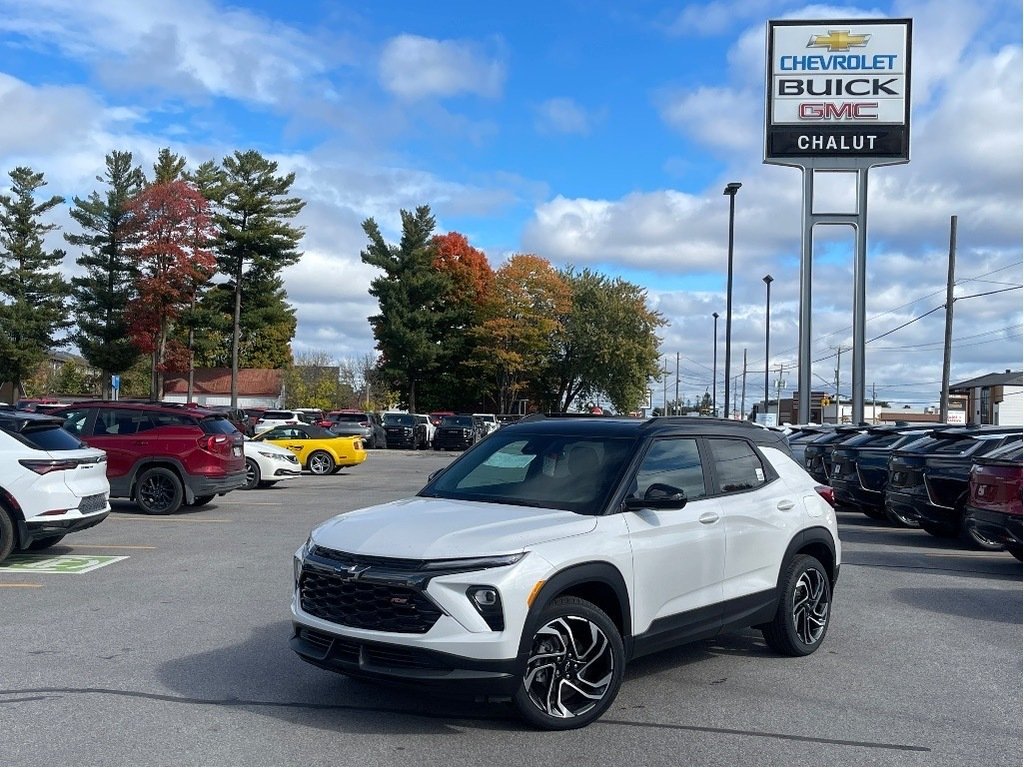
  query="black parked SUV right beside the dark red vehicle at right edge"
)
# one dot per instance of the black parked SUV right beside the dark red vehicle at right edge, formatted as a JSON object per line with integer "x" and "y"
{"x": 929, "y": 479}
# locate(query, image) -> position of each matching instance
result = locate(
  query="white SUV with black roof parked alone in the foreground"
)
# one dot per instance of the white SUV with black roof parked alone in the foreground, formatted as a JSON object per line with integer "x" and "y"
{"x": 546, "y": 558}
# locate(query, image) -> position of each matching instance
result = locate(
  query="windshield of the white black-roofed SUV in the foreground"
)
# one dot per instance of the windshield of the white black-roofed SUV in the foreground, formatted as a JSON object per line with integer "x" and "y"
{"x": 571, "y": 473}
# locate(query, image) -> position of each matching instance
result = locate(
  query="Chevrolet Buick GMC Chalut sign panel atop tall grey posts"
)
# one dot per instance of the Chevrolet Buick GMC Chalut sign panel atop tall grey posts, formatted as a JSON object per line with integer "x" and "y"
{"x": 839, "y": 91}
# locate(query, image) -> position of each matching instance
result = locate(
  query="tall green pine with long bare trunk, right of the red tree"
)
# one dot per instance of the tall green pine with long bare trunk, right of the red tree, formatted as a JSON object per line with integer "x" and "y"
{"x": 254, "y": 239}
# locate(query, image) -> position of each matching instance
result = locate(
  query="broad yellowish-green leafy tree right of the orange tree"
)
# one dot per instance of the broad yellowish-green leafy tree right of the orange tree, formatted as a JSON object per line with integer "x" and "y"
{"x": 608, "y": 345}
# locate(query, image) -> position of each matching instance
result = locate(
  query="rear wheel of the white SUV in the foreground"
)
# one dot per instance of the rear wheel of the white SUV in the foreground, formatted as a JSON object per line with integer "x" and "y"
{"x": 804, "y": 609}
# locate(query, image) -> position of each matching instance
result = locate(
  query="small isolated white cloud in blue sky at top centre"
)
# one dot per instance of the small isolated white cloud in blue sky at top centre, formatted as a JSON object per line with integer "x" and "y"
{"x": 414, "y": 68}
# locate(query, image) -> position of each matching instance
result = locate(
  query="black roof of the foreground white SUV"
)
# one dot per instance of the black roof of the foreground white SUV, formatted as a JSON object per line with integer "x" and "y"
{"x": 625, "y": 426}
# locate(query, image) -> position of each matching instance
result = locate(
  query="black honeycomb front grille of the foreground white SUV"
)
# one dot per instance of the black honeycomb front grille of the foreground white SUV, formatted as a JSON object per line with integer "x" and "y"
{"x": 364, "y": 604}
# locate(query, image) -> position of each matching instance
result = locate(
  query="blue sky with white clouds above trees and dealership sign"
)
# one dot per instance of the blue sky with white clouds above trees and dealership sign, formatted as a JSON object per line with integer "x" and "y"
{"x": 596, "y": 135}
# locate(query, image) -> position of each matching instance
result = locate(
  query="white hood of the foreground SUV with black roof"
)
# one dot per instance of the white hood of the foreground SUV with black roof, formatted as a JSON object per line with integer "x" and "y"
{"x": 426, "y": 529}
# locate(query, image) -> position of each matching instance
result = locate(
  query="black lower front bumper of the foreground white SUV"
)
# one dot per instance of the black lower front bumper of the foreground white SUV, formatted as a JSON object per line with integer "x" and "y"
{"x": 405, "y": 665}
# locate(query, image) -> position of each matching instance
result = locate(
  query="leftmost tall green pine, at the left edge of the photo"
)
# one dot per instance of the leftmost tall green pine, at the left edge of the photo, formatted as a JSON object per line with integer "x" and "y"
{"x": 33, "y": 294}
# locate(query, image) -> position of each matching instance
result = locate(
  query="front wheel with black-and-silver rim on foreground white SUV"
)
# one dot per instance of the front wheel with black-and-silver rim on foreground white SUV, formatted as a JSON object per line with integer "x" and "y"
{"x": 574, "y": 669}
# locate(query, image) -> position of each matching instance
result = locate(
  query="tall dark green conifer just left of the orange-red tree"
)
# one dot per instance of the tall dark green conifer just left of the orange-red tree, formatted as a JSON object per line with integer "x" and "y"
{"x": 408, "y": 328}
